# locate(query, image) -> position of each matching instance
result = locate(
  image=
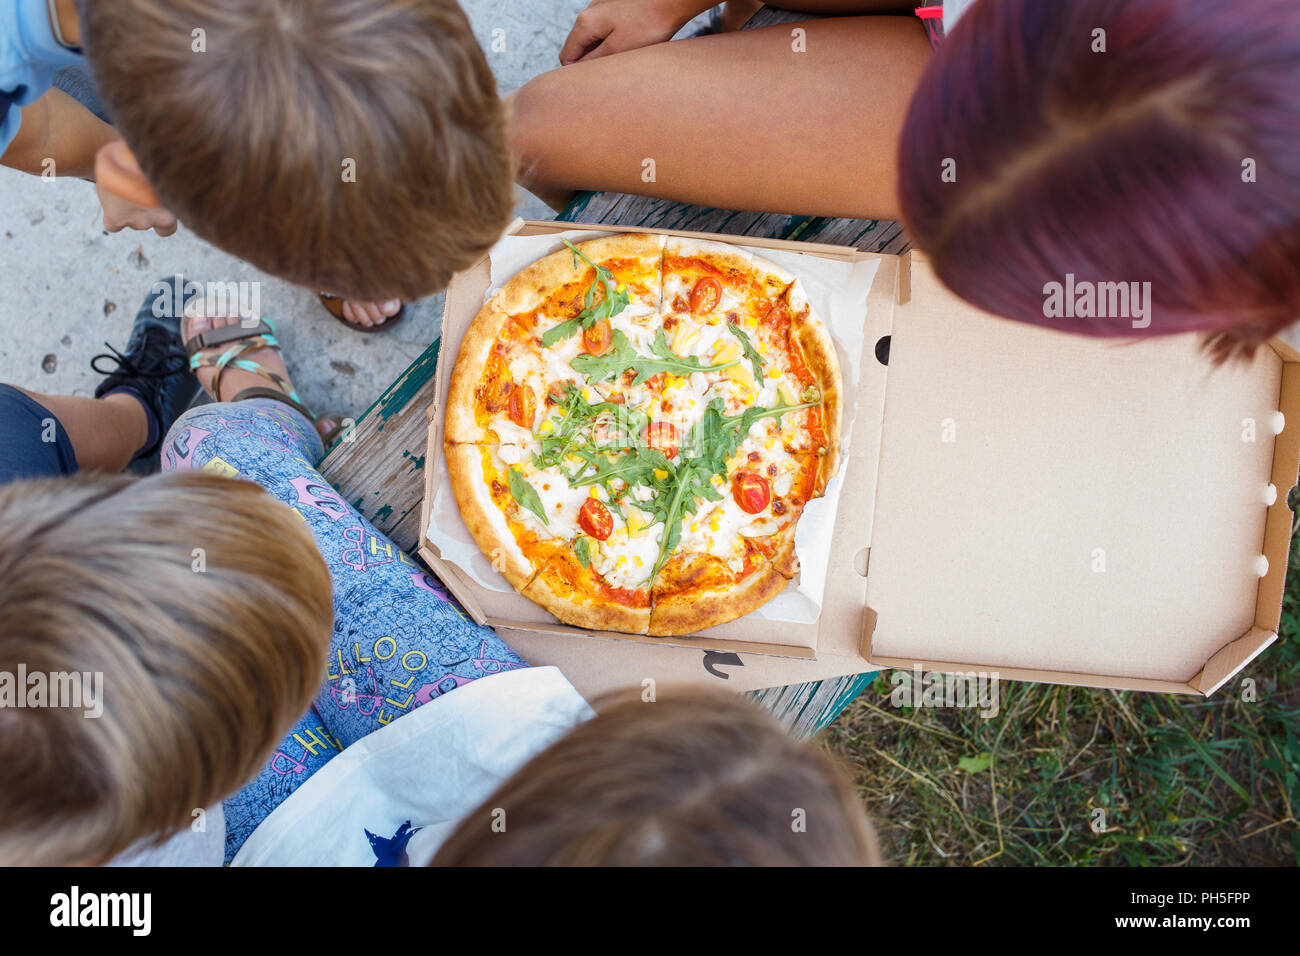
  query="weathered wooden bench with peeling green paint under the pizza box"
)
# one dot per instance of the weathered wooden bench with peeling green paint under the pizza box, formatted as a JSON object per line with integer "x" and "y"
{"x": 382, "y": 470}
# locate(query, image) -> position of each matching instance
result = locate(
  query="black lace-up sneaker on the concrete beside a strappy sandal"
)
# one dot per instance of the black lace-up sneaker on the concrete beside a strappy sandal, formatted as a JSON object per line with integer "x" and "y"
{"x": 155, "y": 367}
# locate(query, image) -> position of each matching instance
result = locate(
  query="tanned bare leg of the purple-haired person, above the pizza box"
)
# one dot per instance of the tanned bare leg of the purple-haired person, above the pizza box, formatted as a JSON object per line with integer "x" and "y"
{"x": 740, "y": 120}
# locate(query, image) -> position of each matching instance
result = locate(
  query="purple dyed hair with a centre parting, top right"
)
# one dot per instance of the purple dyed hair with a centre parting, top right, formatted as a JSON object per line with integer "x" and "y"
{"x": 1172, "y": 158}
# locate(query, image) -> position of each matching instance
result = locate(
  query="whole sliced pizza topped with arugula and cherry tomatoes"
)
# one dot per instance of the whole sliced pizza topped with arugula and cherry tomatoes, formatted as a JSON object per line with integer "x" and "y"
{"x": 635, "y": 426}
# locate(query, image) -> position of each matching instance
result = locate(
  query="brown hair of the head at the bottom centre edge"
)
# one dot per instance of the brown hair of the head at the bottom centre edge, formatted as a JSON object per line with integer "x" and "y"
{"x": 696, "y": 780}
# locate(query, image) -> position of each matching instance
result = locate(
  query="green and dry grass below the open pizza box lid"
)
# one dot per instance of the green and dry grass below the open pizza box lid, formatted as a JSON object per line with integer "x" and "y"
{"x": 1177, "y": 780}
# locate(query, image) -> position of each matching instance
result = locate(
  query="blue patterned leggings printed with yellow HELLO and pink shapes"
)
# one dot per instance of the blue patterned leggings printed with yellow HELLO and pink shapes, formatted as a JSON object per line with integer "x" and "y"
{"x": 400, "y": 638}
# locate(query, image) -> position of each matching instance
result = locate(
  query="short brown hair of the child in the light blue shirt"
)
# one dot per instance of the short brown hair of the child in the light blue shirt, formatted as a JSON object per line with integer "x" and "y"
{"x": 353, "y": 146}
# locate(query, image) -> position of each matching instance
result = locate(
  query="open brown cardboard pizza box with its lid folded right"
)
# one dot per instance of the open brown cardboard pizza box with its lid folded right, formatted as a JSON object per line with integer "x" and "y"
{"x": 1017, "y": 501}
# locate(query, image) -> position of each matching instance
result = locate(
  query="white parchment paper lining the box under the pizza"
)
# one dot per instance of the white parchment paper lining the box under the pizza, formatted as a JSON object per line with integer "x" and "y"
{"x": 838, "y": 292}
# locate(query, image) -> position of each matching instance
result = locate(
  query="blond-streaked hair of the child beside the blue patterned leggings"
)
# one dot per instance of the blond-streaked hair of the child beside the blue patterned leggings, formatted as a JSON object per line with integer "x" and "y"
{"x": 206, "y": 607}
